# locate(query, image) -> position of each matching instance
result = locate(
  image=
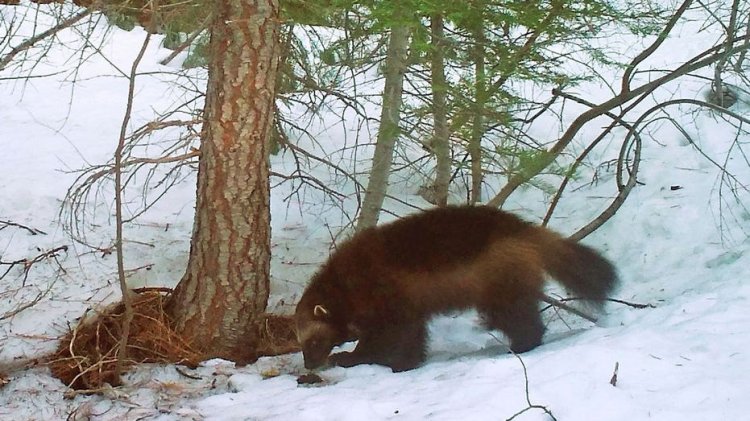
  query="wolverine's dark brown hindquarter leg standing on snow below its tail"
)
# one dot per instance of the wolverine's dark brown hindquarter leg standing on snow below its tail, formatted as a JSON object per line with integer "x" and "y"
{"x": 512, "y": 307}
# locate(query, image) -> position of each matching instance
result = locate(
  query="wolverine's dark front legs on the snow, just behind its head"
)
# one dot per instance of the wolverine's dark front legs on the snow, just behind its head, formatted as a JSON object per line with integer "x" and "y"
{"x": 400, "y": 346}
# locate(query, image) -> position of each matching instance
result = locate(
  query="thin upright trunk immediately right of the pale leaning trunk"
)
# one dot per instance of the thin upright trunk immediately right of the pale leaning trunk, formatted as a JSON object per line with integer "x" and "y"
{"x": 440, "y": 141}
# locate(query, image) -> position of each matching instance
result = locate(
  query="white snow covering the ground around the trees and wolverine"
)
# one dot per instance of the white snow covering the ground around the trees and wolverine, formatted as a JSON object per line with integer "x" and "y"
{"x": 684, "y": 252}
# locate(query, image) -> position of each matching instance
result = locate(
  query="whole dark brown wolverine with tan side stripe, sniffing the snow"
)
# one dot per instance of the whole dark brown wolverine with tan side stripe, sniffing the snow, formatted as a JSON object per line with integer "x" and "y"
{"x": 383, "y": 285}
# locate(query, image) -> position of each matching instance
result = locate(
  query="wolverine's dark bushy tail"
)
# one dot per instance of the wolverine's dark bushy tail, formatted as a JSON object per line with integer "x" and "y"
{"x": 581, "y": 269}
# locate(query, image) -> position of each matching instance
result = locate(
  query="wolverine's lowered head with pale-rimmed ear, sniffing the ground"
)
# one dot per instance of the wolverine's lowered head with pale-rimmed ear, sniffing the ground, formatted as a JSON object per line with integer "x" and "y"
{"x": 316, "y": 334}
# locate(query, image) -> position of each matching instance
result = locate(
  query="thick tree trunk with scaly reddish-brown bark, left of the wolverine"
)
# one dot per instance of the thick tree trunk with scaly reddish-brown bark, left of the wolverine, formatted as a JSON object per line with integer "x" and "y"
{"x": 224, "y": 291}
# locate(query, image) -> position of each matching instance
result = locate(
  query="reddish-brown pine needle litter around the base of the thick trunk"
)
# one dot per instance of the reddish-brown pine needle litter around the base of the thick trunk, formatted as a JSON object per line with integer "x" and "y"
{"x": 87, "y": 354}
